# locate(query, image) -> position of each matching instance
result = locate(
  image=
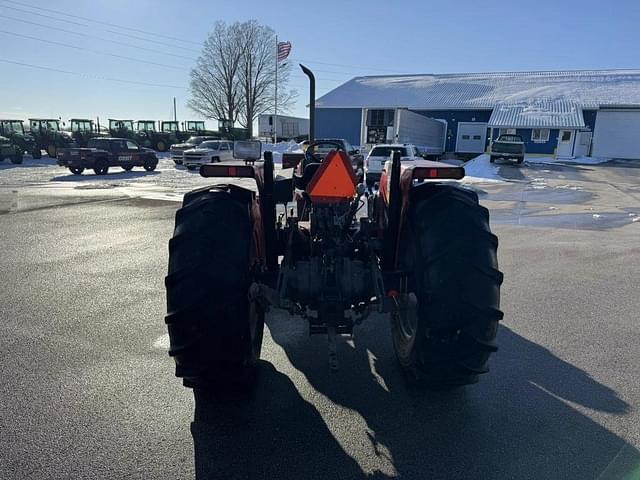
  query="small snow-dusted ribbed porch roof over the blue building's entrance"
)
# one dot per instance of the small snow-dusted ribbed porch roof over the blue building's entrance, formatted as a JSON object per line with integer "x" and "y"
{"x": 537, "y": 113}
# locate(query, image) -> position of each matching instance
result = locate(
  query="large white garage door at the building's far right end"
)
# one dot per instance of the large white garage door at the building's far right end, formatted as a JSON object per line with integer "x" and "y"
{"x": 617, "y": 134}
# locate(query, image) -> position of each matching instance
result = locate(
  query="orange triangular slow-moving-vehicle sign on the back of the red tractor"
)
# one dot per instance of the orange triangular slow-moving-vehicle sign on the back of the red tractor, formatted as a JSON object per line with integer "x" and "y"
{"x": 334, "y": 181}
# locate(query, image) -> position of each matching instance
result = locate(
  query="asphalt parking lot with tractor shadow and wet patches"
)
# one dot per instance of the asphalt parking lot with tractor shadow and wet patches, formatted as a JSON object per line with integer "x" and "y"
{"x": 87, "y": 387}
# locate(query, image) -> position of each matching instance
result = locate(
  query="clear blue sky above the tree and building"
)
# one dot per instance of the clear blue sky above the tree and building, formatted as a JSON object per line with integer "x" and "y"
{"x": 338, "y": 39}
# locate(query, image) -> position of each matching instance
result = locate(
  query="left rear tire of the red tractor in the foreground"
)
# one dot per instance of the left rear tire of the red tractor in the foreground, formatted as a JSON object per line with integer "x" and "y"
{"x": 215, "y": 328}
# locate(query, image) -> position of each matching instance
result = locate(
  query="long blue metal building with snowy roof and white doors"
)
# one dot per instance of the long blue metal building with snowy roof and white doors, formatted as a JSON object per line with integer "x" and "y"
{"x": 557, "y": 113}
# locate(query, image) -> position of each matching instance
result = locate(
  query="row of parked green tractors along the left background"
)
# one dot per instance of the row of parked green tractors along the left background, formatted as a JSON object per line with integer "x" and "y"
{"x": 48, "y": 135}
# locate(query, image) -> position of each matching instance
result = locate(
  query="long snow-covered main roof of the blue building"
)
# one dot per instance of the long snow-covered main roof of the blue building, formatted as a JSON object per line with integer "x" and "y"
{"x": 586, "y": 88}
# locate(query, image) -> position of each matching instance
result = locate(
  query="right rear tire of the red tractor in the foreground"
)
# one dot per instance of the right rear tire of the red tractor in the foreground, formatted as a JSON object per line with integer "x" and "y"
{"x": 444, "y": 334}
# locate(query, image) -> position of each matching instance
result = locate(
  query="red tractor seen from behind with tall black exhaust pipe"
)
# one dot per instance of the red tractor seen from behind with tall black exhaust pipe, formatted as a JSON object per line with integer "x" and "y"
{"x": 419, "y": 250}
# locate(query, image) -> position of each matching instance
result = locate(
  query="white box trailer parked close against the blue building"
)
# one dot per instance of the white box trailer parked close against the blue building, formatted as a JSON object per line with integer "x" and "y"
{"x": 406, "y": 126}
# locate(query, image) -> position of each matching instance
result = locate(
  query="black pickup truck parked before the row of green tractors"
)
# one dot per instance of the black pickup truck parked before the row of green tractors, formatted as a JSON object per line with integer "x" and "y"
{"x": 102, "y": 153}
